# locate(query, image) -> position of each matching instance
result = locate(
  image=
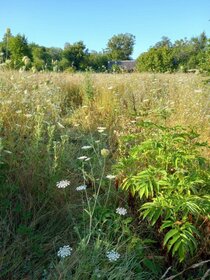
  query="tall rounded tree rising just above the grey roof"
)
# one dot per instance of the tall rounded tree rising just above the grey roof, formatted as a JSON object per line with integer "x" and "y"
{"x": 120, "y": 47}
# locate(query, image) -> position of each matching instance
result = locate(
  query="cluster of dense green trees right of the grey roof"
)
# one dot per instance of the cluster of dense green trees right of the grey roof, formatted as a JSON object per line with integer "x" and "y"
{"x": 183, "y": 55}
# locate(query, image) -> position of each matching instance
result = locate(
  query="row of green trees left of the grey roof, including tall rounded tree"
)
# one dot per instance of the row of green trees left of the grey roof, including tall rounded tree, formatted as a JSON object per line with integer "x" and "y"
{"x": 17, "y": 53}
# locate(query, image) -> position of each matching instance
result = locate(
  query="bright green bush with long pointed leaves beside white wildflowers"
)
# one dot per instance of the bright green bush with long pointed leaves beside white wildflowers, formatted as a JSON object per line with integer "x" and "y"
{"x": 171, "y": 178}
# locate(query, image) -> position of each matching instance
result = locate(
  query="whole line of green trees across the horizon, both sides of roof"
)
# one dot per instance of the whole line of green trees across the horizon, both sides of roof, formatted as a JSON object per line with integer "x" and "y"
{"x": 165, "y": 56}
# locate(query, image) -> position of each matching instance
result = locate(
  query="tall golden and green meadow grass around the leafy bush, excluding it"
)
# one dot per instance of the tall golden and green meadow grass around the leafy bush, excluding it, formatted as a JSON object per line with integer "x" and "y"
{"x": 45, "y": 121}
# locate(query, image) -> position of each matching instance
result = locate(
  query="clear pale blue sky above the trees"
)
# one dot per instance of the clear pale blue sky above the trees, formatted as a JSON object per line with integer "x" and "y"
{"x": 52, "y": 23}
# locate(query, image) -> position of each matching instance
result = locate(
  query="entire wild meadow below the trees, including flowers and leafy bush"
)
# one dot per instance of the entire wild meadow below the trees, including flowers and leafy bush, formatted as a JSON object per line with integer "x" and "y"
{"x": 71, "y": 149}
